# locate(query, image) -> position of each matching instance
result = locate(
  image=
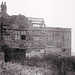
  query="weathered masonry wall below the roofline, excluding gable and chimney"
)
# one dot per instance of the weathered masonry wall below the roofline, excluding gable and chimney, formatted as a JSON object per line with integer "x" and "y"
{"x": 51, "y": 41}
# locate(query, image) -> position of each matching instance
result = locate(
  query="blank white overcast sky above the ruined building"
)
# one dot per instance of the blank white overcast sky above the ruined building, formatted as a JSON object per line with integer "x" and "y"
{"x": 56, "y": 13}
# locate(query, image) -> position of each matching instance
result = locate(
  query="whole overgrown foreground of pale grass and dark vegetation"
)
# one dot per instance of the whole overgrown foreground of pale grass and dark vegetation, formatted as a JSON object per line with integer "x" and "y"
{"x": 49, "y": 65}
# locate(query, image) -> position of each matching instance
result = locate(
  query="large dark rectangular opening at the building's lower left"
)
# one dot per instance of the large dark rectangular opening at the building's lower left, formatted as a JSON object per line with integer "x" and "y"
{"x": 15, "y": 54}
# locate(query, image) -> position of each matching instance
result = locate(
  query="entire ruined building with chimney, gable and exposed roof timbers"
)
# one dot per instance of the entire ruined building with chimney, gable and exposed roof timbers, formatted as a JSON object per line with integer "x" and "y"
{"x": 27, "y": 36}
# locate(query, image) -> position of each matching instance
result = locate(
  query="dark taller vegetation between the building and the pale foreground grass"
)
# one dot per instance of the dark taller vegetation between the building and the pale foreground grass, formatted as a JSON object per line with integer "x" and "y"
{"x": 59, "y": 65}
